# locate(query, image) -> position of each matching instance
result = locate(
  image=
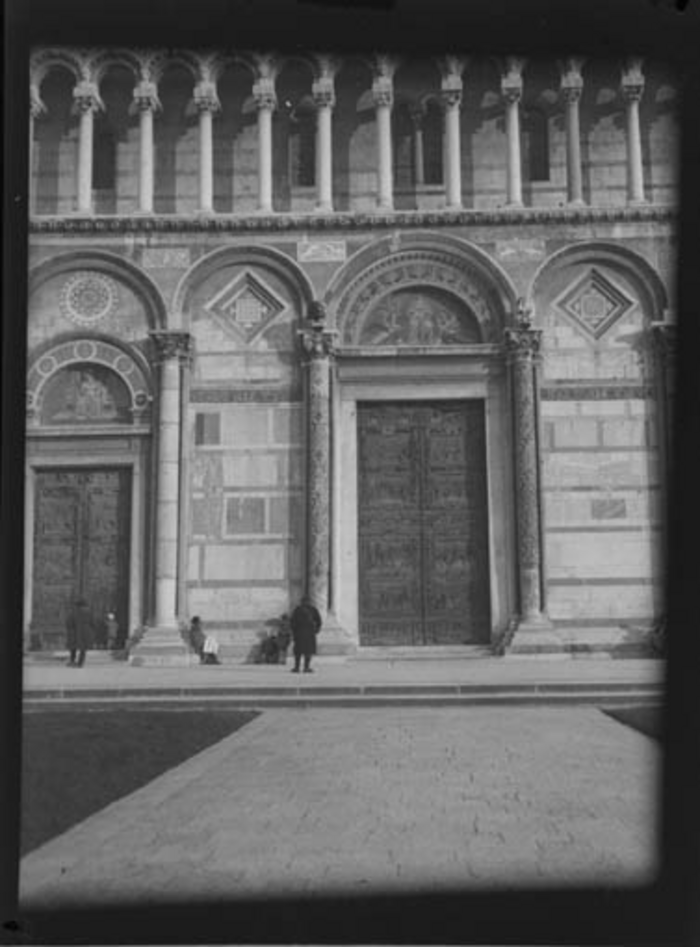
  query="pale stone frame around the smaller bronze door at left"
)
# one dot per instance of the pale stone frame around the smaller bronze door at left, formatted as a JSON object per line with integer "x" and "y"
{"x": 64, "y": 453}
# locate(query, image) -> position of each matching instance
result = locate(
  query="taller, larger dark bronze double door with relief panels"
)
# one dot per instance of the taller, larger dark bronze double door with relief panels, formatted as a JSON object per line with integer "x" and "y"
{"x": 423, "y": 523}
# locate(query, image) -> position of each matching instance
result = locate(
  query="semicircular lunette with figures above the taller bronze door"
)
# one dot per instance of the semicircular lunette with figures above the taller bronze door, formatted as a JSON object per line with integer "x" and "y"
{"x": 418, "y": 318}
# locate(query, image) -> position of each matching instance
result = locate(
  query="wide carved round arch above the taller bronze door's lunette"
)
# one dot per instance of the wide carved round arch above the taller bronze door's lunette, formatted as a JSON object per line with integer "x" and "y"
{"x": 447, "y": 263}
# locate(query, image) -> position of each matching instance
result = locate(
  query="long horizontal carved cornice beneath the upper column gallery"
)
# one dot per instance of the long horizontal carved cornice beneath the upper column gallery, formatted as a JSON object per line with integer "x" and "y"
{"x": 275, "y": 223}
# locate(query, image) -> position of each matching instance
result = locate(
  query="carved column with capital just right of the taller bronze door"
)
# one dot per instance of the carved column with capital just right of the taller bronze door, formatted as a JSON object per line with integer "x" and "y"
{"x": 523, "y": 345}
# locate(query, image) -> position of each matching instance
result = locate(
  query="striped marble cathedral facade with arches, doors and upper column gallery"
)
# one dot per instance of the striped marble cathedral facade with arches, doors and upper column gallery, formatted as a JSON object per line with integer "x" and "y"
{"x": 393, "y": 333}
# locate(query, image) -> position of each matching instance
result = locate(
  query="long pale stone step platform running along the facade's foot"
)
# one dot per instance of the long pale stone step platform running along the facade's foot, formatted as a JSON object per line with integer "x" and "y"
{"x": 353, "y": 681}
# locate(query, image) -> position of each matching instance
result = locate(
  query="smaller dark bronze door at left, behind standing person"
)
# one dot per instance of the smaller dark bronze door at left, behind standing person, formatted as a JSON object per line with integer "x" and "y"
{"x": 81, "y": 547}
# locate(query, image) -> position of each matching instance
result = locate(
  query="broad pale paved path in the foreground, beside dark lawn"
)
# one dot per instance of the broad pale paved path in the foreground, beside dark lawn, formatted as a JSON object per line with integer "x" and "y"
{"x": 357, "y": 800}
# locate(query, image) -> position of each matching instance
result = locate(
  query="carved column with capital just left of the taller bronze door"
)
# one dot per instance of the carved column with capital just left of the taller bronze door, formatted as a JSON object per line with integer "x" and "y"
{"x": 317, "y": 342}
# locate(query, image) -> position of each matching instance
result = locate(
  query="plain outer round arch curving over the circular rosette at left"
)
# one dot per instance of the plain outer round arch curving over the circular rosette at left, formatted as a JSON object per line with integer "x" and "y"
{"x": 112, "y": 265}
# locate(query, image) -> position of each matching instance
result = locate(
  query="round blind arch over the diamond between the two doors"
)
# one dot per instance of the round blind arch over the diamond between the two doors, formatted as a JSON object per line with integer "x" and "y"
{"x": 278, "y": 262}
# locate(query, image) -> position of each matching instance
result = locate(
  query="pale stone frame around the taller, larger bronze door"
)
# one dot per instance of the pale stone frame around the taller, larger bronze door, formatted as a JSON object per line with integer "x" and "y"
{"x": 439, "y": 376}
